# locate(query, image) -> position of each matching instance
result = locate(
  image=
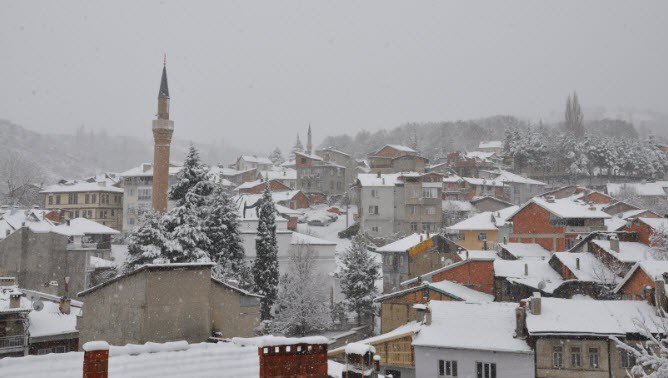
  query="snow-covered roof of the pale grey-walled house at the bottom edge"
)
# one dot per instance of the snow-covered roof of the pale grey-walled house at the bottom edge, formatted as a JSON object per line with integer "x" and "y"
{"x": 473, "y": 326}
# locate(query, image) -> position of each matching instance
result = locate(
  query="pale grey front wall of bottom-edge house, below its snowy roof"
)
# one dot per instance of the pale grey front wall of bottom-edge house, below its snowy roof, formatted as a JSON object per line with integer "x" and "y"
{"x": 508, "y": 365}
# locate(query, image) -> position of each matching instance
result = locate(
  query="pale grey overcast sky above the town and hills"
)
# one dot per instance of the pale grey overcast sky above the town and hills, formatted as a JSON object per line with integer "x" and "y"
{"x": 257, "y": 72}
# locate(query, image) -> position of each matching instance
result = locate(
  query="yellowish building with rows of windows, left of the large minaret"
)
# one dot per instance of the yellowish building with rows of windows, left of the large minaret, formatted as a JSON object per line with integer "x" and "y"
{"x": 99, "y": 200}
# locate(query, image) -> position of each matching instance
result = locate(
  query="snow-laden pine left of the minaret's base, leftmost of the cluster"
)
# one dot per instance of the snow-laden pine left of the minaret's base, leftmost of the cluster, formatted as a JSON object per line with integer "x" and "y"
{"x": 146, "y": 242}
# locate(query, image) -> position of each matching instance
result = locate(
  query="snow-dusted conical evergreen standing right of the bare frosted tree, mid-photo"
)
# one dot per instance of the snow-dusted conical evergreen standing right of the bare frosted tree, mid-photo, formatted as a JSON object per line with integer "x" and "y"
{"x": 359, "y": 272}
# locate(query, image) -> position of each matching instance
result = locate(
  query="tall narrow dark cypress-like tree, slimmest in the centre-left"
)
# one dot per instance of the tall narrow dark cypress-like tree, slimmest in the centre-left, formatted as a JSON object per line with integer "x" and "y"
{"x": 265, "y": 266}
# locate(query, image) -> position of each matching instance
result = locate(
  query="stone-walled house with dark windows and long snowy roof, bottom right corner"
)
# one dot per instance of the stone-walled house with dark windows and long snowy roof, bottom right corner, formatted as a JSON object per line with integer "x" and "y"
{"x": 572, "y": 337}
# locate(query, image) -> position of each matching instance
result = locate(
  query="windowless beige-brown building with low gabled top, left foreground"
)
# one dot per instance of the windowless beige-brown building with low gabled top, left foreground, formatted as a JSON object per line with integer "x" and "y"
{"x": 166, "y": 302}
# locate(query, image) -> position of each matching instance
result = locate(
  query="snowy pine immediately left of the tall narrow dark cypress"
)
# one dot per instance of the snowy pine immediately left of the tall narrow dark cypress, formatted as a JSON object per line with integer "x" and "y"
{"x": 225, "y": 248}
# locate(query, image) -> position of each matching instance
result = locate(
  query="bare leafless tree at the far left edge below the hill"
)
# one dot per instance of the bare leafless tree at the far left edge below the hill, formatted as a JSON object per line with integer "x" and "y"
{"x": 20, "y": 180}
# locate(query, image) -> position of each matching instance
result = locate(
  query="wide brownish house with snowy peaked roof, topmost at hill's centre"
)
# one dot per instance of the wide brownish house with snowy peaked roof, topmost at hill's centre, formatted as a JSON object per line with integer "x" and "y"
{"x": 393, "y": 158}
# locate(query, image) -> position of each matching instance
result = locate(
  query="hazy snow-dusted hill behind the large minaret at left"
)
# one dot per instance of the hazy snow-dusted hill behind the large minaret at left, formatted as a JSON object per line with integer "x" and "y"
{"x": 88, "y": 152}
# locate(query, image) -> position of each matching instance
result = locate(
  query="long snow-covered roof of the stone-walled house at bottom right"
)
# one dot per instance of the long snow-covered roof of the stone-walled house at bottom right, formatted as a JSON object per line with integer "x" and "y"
{"x": 591, "y": 317}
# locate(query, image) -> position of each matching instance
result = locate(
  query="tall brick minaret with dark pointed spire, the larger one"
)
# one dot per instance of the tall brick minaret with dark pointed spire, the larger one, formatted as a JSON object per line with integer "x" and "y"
{"x": 163, "y": 128}
